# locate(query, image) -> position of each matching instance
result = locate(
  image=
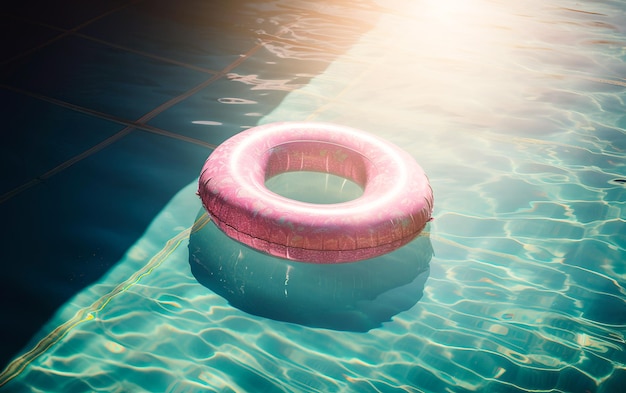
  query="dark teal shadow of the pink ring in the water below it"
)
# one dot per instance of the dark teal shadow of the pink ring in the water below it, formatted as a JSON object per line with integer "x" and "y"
{"x": 357, "y": 296}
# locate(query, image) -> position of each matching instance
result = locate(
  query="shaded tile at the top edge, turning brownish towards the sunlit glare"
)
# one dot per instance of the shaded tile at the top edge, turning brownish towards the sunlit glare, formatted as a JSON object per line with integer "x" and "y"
{"x": 206, "y": 34}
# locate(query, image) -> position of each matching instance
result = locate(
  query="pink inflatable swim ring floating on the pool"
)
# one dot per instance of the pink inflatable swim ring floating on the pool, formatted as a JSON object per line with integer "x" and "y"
{"x": 396, "y": 203}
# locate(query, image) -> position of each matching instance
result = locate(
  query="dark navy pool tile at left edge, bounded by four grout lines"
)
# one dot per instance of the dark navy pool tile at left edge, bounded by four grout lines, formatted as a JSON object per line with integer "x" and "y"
{"x": 99, "y": 77}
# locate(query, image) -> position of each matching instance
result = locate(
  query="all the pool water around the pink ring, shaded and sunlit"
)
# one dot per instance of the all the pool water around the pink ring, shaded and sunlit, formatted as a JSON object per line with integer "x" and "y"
{"x": 517, "y": 113}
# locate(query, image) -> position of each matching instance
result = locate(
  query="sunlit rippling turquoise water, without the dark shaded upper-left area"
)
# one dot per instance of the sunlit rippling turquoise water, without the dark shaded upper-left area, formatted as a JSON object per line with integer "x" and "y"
{"x": 516, "y": 112}
